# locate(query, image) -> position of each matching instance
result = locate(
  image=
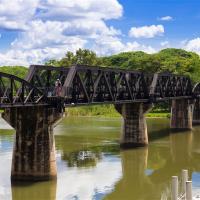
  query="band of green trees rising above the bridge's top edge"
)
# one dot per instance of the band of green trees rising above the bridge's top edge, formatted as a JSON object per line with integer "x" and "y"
{"x": 172, "y": 60}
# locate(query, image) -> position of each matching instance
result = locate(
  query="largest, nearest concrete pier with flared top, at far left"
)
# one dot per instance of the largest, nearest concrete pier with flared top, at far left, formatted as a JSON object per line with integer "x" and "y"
{"x": 34, "y": 148}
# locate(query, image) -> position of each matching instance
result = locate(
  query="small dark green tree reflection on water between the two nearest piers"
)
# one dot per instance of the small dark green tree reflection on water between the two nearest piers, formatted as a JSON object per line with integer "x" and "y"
{"x": 88, "y": 157}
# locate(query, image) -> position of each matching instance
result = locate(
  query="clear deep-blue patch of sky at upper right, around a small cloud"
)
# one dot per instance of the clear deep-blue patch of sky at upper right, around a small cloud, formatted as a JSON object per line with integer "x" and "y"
{"x": 185, "y": 14}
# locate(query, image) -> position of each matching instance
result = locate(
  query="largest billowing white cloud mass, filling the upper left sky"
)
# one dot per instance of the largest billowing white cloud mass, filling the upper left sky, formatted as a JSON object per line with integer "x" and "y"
{"x": 49, "y": 28}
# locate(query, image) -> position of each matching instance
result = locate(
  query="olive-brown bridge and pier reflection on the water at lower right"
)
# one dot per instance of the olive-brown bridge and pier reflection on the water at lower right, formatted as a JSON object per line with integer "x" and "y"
{"x": 147, "y": 172}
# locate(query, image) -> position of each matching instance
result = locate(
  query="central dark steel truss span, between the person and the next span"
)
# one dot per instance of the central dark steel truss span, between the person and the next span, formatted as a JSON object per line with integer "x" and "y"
{"x": 96, "y": 85}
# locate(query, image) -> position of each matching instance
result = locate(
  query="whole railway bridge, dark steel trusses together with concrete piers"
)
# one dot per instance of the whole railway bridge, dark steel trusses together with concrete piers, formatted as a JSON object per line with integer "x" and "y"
{"x": 33, "y": 110}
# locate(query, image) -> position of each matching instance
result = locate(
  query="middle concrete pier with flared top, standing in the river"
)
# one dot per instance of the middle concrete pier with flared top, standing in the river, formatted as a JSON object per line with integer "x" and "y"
{"x": 134, "y": 130}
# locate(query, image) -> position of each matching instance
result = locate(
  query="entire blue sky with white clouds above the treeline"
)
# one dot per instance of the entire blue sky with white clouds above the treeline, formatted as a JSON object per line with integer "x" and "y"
{"x": 33, "y": 31}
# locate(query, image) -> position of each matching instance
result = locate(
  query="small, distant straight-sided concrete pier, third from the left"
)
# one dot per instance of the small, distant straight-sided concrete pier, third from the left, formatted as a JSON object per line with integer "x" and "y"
{"x": 181, "y": 114}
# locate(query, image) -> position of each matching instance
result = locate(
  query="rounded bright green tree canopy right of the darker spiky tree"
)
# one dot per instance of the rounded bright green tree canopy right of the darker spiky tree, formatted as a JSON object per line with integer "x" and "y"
{"x": 177, "y": 61}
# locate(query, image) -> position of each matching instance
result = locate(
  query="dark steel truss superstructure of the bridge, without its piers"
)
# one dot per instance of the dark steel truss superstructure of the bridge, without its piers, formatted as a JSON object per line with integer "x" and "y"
{"x": 87, "y": 85}
